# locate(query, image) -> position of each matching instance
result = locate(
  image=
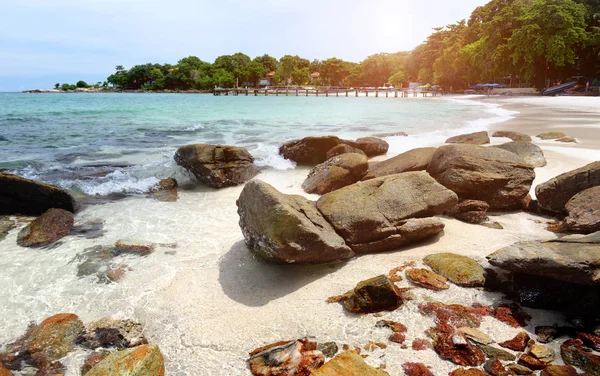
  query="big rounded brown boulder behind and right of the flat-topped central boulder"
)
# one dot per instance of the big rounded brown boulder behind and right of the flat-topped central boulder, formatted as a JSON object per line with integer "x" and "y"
{"x": 496, "y": 176}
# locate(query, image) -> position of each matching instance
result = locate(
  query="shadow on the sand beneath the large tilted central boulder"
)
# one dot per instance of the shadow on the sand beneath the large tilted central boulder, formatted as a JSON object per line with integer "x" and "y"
{"x": 253, "y": 282}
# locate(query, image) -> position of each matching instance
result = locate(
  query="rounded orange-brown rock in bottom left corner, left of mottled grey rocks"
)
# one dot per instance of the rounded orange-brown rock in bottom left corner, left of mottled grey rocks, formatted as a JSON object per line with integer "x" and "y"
{"x": 53, "y": 338}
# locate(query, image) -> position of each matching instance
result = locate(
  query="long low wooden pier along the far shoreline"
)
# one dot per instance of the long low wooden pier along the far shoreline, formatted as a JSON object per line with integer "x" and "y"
{"x": 324, "y": 92}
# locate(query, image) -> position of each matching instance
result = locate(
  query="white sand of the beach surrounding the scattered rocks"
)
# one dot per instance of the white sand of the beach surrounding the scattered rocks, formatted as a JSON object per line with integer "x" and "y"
{"x": 212, "y": 302}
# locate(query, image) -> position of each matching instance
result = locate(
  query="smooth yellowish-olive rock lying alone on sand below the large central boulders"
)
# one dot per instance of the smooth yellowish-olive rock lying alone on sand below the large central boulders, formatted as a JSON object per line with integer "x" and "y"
{"x": 459, "y": 269}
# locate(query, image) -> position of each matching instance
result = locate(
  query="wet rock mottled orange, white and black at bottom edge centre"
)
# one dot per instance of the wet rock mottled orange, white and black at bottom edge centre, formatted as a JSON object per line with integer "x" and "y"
{"x": 293, "y": 358}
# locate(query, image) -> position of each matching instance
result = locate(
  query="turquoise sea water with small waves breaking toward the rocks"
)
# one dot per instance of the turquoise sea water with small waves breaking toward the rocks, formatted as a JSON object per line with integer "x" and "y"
{"x": 111, "y": 143}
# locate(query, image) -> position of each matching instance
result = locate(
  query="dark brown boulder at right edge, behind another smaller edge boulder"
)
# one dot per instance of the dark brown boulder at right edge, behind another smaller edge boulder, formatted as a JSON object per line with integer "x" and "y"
{"x": 556, "y": 192}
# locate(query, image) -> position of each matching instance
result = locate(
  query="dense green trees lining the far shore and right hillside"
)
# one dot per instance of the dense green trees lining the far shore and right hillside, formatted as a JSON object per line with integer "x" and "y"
{"x": 505, "y": 41}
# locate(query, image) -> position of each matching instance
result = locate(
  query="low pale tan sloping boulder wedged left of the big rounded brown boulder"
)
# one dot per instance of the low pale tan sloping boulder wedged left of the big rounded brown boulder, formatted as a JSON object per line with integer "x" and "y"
{"x": 412, "y": 160}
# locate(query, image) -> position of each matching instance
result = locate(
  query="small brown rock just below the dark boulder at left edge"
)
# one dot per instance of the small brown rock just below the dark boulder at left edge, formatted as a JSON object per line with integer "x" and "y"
{"x": 51, "y": 226}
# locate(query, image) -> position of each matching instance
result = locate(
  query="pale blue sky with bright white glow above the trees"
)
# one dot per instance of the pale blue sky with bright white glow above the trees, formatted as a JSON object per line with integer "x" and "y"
{"x": 43, "y": 42}
